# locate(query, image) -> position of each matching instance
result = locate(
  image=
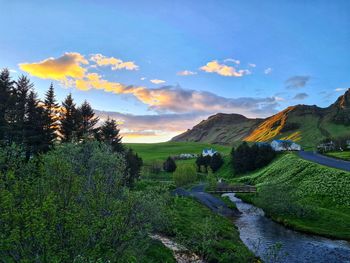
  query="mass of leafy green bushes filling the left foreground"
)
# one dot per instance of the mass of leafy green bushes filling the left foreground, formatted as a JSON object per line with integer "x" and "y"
{"x": 72, "y": 204}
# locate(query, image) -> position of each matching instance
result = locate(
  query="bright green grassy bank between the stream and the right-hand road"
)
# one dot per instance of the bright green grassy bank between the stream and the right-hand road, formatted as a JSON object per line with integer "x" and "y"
{"x": 303, "y": 195}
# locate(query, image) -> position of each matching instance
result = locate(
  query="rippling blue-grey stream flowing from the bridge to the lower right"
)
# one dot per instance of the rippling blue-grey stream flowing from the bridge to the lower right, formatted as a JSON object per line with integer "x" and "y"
{"x": 273, "y": 242}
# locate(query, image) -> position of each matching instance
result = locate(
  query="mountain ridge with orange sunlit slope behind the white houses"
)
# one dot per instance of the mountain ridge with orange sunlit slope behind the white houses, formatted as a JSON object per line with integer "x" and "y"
{"x": 301, "y": 123}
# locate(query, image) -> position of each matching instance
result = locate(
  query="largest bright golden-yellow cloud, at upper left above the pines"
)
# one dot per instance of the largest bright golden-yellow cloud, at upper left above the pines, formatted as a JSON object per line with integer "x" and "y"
{"x": 70, "y": 65}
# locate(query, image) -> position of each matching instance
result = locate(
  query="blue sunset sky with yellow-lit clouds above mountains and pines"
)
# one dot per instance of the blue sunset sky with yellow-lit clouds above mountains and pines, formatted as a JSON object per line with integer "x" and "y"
{"x": 160, "y": 67}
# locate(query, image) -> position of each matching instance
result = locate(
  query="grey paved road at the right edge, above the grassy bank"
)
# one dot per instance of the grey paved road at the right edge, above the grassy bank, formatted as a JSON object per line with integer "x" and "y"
{"x": 324, "y": 160}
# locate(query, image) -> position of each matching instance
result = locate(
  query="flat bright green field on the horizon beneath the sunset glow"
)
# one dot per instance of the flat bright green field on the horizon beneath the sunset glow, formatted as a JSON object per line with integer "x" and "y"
{"x": 160, "y": 151}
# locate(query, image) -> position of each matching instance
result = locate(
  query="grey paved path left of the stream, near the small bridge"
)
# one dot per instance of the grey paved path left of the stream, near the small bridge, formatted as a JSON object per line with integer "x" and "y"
{"x": 210, "y": 201}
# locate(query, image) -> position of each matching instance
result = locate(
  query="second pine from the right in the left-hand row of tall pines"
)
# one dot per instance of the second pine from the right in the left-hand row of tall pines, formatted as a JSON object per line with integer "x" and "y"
{"x": 87, "y": 121}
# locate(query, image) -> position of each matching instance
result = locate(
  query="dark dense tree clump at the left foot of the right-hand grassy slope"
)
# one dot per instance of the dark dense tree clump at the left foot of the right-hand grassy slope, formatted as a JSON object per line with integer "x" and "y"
{"x": 249, "y": 158}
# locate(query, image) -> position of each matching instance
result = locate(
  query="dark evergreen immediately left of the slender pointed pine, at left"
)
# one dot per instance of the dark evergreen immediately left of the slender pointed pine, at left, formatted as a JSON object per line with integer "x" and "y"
{"x": 34, "y": 135}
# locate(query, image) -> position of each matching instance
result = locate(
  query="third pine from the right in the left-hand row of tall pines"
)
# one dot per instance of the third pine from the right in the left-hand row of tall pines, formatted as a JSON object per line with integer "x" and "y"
{"x": 69, "y": 120}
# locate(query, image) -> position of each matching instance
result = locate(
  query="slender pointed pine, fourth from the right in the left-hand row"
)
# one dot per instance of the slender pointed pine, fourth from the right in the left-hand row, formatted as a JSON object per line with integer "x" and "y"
{"x": 50, "y": 118}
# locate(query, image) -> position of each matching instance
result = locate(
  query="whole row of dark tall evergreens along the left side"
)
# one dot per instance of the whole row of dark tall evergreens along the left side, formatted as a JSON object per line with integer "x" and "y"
{"x": 39, "y": 125}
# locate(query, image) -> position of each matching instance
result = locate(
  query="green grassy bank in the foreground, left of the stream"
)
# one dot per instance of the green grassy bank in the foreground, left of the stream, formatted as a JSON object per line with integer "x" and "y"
{"x": 212, "y": 236}
